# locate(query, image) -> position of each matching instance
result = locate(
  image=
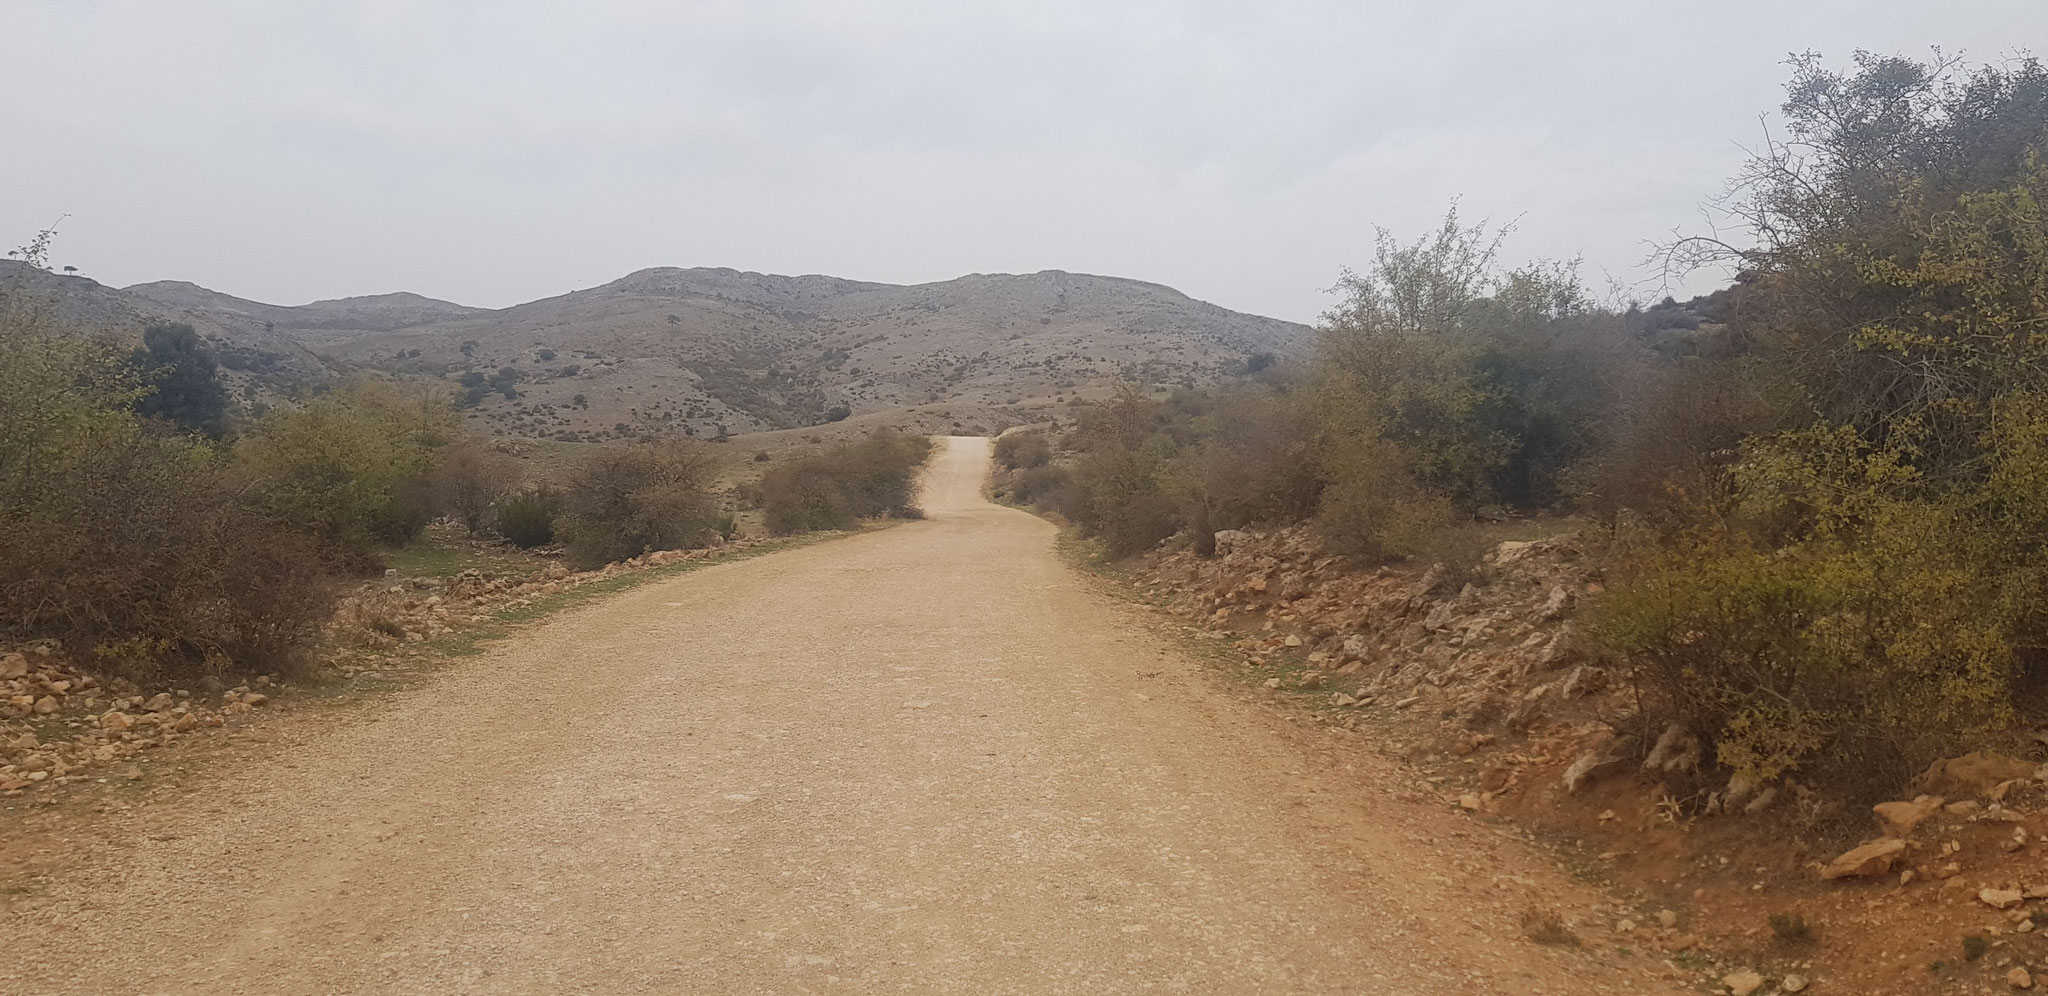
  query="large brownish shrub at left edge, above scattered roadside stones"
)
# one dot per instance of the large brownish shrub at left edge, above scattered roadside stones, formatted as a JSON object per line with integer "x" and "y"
{"x": 126, "y": 544}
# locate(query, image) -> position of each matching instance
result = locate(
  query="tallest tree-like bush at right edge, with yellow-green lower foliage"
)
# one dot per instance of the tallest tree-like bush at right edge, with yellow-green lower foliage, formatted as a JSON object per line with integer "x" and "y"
{"x": 1861, "y": 585}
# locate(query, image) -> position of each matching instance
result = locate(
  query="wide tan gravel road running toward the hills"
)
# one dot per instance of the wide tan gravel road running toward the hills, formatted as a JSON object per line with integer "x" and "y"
{"x": 927, "y": 759}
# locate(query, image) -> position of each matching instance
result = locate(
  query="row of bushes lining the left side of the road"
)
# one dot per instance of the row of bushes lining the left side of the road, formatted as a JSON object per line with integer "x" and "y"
{"x": 161, "y": 538}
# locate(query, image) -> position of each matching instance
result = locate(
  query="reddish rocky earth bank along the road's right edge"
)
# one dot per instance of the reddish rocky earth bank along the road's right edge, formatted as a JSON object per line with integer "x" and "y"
{"x": 1748, "y": 886}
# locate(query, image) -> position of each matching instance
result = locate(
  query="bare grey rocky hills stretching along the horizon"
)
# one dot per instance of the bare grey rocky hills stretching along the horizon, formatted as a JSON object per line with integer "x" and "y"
{"x": 716, "y": 349}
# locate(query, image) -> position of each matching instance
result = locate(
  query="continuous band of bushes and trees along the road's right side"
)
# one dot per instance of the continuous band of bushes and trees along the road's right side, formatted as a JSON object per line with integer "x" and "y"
{"x": 1824, "y": 489}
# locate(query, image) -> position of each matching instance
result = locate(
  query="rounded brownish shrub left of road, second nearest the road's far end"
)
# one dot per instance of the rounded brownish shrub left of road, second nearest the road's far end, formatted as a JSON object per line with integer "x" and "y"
{"x": 630, "y": 501}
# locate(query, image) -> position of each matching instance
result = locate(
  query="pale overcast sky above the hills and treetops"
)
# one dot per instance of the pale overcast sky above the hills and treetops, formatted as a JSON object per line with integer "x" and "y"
{"x": 495, "y": 153}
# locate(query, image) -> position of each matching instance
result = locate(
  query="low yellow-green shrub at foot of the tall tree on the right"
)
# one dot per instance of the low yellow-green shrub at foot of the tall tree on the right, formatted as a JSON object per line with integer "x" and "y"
{"x": 1852, "y": 661}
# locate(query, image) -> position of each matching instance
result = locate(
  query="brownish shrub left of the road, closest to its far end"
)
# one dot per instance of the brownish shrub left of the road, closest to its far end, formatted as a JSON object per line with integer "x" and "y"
{"x": 845, "y": 485}
